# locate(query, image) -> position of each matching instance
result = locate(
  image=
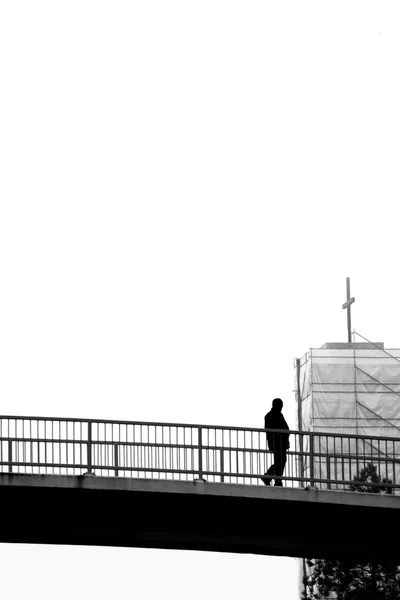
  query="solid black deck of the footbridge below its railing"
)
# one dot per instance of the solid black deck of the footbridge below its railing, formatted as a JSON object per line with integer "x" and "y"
{"x": 108, "y": 511}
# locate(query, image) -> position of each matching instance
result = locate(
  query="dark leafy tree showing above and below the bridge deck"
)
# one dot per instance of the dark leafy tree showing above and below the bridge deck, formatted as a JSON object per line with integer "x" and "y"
{"x": 345, "y": 580}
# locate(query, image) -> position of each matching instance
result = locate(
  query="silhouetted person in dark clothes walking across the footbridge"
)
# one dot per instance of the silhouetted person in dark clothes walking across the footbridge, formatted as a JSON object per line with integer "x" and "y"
{"x": 278, "y": 443}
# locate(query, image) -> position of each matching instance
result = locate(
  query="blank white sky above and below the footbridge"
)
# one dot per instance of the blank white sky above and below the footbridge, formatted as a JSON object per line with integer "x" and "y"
{"x": 184, "y": 188}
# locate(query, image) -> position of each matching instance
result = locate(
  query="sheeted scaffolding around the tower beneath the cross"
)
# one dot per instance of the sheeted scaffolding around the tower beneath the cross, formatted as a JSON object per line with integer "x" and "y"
{"x": 350, "y": 388}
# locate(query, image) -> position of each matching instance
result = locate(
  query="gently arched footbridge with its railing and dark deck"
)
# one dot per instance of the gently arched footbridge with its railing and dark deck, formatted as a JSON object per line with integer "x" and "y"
{"x": 197, "y": 487}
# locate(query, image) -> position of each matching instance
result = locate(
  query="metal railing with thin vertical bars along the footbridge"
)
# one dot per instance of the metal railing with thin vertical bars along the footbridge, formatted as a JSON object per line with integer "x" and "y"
{"x": 43, "y": 445}
